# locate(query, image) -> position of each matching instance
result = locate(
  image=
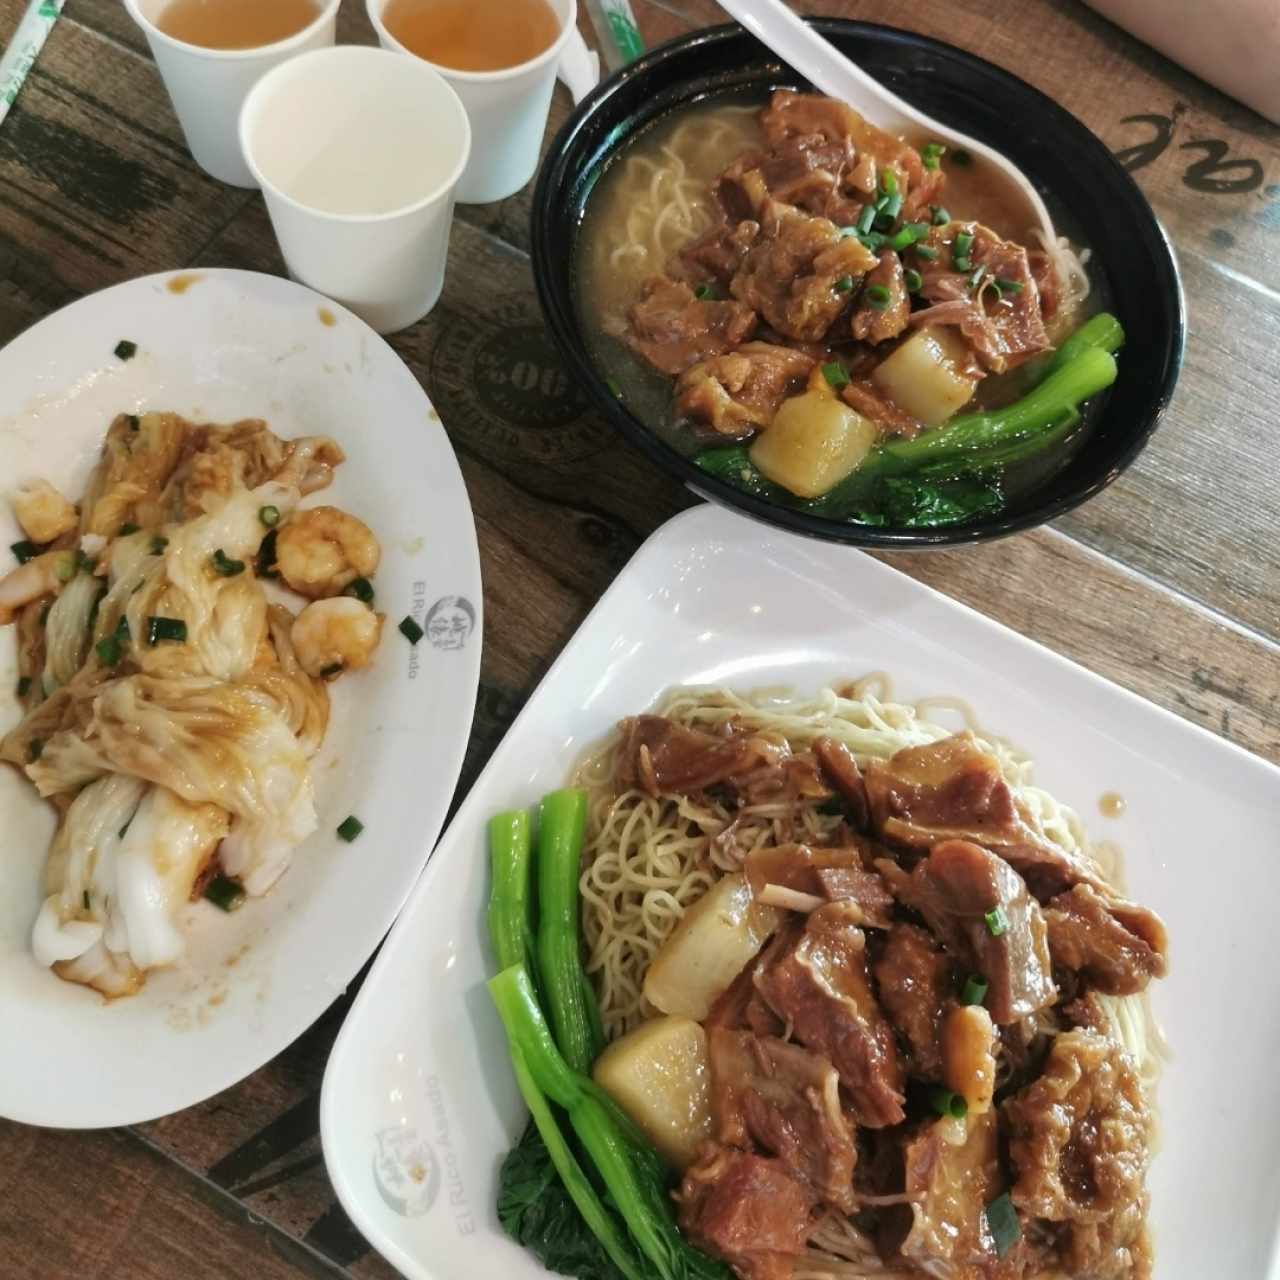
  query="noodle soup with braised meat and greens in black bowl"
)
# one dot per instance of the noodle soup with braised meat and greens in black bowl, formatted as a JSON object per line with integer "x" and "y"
{"x": 665, "y": 212}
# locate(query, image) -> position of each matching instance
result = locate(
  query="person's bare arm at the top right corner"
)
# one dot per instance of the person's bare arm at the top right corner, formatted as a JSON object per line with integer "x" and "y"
{"x": 1233, "y": 44}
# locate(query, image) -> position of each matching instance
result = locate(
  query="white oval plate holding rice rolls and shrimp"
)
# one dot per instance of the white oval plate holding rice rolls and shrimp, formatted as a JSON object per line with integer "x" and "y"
{"x": 239, "y": 345}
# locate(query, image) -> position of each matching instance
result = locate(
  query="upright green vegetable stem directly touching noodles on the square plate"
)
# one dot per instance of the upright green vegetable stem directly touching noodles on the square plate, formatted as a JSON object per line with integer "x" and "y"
{"x": 572, "y": 1003}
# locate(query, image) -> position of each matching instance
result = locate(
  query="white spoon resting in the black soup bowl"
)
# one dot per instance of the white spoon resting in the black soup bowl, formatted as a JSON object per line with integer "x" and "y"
{"x": 834, "y": 75}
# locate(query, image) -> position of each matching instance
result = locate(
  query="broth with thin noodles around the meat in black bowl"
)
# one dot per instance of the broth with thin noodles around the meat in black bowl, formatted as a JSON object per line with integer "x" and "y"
{"x": 657, "y": 195}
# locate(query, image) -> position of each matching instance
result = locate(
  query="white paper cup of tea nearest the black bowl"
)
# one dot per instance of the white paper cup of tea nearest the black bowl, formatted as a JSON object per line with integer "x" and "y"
{"x": 509, "y": 109}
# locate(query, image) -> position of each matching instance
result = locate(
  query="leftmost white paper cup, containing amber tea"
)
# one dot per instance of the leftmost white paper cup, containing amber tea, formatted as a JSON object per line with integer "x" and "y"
{"x": 208, "y": 86}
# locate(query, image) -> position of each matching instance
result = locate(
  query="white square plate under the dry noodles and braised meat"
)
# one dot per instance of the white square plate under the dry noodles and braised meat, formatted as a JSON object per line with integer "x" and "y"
{"x": 419, "y": 1105}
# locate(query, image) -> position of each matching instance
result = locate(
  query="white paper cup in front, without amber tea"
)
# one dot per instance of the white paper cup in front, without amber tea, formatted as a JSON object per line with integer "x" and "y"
{"x": 359, "y": 154}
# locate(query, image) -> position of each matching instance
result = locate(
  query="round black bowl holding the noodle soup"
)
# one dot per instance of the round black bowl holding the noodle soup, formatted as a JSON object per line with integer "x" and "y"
{"x": 1054, "y": 149}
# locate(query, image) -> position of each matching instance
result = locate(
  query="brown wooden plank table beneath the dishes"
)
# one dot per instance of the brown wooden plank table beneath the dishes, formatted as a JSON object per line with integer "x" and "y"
{"x": 1169, "y": 583}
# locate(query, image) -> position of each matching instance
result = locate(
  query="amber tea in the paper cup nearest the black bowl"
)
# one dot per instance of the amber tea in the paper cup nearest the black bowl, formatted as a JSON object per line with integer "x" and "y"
{"x": 473, "y": 35}
